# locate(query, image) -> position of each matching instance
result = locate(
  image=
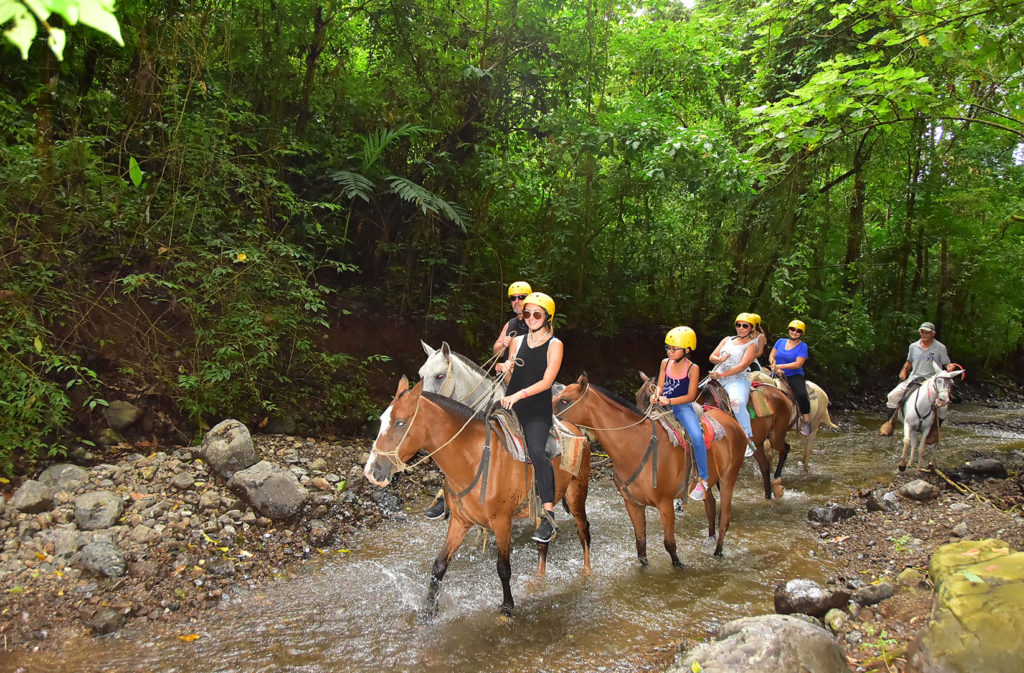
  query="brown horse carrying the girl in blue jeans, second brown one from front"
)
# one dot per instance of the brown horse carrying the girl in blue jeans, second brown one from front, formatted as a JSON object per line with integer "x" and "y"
{"x": 650, "y": 472}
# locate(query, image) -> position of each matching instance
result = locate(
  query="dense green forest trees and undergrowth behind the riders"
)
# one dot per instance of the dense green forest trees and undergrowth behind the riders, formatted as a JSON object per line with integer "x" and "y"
{"x": 183, "y": 213}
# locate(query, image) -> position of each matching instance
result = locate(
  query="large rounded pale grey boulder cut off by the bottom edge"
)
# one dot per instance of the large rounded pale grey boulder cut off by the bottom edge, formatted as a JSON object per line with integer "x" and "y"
{"x": 770, "y": 644}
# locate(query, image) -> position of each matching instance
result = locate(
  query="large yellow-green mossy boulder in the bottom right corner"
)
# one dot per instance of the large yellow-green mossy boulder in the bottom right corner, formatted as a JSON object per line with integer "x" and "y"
{"x": 977, "y": 614}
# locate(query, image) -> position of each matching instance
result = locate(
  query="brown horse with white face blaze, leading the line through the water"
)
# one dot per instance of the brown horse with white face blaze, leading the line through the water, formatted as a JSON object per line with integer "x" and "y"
{"x": 484, "y": 484}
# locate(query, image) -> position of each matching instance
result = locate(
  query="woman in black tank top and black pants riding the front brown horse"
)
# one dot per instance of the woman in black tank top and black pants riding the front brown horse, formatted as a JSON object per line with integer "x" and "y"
{"x": 533, "y": 364}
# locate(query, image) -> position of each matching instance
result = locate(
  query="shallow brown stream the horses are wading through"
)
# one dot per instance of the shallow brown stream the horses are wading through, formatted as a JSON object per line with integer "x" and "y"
{"x": 357, "y": 612}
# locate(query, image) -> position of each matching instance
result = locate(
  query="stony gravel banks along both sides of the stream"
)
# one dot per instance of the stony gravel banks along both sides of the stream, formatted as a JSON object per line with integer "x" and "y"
{"x": 179, "y": 538}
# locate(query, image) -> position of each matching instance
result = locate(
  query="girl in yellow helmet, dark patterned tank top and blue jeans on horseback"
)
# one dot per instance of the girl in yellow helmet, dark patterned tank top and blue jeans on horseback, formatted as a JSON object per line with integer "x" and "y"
{"x": 677, "y": 389}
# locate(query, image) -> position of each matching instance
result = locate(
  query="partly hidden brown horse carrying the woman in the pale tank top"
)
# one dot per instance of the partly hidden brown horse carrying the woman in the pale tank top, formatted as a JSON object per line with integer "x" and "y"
{"x": 773, "y": 428}
